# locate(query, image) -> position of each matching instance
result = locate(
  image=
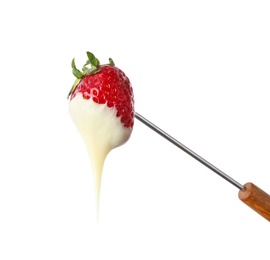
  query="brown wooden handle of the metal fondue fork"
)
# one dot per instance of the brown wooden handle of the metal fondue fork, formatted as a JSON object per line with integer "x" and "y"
{"x": 256, "y": 199}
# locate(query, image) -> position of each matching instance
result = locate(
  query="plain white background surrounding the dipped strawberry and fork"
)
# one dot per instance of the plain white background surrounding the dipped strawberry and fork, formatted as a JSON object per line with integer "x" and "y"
{"x": 199, "y": 70}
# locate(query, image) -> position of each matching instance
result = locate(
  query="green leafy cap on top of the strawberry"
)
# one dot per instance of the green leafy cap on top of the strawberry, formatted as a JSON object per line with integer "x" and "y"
{"x": 86, "y": 70}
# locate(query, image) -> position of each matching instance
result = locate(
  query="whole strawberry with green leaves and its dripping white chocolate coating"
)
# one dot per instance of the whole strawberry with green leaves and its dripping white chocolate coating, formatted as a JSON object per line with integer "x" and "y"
{"x": 102, "y": 108}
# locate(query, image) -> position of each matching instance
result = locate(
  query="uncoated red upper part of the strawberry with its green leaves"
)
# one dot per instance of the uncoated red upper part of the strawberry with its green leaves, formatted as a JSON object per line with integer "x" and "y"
{"x": 105, "y": 84}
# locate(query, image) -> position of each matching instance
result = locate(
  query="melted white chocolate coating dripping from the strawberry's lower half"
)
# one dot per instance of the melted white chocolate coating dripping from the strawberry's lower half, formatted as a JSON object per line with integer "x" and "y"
{"x": 101, "y": 131}
